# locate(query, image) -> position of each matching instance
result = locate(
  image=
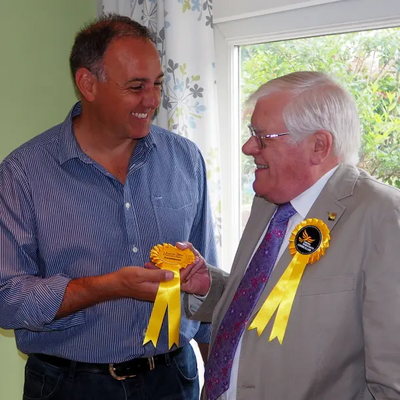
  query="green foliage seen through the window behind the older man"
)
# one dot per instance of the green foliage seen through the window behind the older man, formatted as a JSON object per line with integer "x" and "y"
{"x": 367, "y": 63}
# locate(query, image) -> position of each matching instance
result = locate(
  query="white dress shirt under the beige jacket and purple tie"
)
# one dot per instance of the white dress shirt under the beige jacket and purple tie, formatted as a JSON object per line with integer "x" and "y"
{"x": 302, "y": 204}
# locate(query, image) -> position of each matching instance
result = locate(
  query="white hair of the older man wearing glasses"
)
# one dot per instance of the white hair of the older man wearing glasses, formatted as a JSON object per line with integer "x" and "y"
{"x": 318, "y": 102}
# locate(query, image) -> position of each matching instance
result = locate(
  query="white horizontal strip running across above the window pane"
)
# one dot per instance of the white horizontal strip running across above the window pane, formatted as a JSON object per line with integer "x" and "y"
{"x": 336, "y": 17}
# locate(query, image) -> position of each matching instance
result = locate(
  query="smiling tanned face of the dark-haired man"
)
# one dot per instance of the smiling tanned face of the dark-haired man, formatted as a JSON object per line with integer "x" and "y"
{"x": 125, "y": 102}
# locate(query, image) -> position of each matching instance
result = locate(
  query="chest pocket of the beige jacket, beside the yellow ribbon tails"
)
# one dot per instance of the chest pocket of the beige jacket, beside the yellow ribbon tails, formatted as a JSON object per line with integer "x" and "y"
{"x": 328, "y": 285}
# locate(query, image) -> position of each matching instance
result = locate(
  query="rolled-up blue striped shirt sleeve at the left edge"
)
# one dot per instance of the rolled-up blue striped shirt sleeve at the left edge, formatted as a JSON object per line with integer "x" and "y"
{"x": 28, "y": 299}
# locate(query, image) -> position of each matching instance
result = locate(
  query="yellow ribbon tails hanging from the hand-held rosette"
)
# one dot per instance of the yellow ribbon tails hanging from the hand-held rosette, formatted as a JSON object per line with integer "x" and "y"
{"x": 168, "y": 296}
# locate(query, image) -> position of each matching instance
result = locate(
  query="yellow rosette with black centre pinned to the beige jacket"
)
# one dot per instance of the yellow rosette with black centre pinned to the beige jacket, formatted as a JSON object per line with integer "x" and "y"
{"x": 308, "y": 243}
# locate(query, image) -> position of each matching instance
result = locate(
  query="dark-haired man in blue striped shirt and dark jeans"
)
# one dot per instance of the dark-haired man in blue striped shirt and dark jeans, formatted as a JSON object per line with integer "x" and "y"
{"x": 81, "y": 207}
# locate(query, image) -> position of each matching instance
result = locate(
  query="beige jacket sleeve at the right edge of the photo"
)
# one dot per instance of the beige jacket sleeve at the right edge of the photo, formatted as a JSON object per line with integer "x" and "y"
{"x": 381, "y": 305}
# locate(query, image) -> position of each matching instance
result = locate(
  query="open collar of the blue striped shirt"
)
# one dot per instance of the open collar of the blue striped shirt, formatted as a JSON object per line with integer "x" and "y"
{"x": 69, "y": 147}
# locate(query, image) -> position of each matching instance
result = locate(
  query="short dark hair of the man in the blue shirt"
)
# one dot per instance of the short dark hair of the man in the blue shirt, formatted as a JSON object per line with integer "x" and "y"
{"x": 93, "y": 40}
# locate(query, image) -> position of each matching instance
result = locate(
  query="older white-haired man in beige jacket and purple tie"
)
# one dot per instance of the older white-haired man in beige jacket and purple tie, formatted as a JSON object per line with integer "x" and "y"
{"x": 311, "y": 308}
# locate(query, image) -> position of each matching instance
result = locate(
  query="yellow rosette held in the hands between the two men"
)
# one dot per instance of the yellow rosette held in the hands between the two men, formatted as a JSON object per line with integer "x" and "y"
{"x": 170, "y": 258}
